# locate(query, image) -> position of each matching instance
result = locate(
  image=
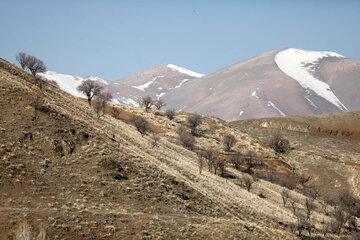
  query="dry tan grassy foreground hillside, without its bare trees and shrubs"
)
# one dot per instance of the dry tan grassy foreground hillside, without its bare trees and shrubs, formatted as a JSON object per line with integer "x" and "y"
{"x": 65, "y": 174}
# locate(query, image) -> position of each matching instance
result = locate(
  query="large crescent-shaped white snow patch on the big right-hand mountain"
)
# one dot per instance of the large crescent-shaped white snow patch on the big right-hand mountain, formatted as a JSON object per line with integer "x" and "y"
{"x": 300, "y": 65}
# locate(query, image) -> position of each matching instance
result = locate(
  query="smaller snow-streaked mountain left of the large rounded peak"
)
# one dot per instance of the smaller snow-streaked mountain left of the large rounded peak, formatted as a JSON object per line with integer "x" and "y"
{"x": 155, "y": 82}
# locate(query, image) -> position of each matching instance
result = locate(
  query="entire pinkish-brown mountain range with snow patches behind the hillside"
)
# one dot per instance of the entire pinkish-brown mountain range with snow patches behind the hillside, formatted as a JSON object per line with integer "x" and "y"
{"x": 283, "y": 82}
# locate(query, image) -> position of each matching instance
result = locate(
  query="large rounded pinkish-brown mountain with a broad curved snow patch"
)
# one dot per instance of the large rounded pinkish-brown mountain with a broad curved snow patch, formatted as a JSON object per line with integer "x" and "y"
{"x": 278, "y": 83}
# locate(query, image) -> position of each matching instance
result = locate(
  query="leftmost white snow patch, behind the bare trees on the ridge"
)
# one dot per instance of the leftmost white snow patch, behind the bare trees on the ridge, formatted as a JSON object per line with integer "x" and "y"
{"x": 69, "y": 83}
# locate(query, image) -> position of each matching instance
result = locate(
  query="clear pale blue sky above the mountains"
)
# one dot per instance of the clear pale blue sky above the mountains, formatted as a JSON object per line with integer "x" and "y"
{"x": 113, "y": 39}
